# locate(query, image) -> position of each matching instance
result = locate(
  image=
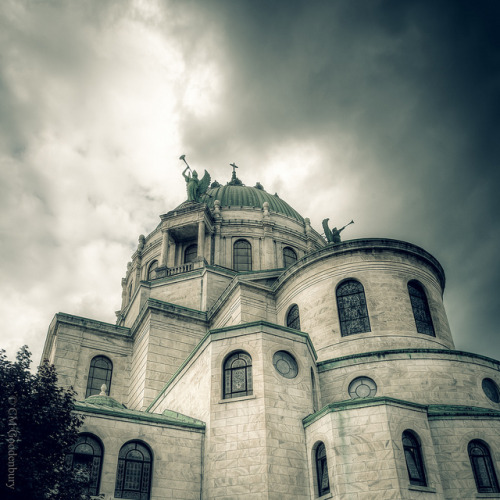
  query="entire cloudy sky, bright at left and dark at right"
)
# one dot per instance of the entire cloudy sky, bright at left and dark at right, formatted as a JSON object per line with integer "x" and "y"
{"x": 385, "y": 112}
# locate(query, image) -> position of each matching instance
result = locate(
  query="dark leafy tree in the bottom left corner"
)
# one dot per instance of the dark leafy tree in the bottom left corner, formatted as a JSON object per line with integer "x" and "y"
{"x": 37, "y": 428}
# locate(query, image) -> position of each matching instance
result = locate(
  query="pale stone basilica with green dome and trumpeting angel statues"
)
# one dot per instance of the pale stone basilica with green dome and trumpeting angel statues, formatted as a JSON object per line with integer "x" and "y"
{"x": 254, "y": 359}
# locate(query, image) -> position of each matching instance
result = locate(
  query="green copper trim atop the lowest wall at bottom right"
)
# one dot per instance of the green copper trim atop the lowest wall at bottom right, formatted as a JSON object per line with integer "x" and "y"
{"x": 434, "y": 412}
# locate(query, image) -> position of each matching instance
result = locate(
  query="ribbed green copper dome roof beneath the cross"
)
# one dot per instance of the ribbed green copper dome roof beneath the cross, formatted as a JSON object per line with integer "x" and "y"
{"x": 246, "y": 196}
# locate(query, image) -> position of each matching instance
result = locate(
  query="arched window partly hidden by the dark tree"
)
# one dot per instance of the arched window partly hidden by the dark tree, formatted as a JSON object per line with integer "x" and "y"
{"x": 85, "y": 459}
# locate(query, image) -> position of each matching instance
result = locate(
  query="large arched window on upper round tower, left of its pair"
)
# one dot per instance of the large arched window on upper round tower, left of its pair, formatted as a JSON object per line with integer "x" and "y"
{"x": 351, "y": 304}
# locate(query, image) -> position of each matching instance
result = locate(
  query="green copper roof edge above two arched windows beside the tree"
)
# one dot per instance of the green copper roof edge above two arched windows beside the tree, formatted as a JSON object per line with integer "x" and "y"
{"x": 171, "y": 418}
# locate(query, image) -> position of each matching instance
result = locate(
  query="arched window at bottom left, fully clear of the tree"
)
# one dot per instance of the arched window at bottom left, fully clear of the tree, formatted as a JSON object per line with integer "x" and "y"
{"x": 133, "y": 475}
